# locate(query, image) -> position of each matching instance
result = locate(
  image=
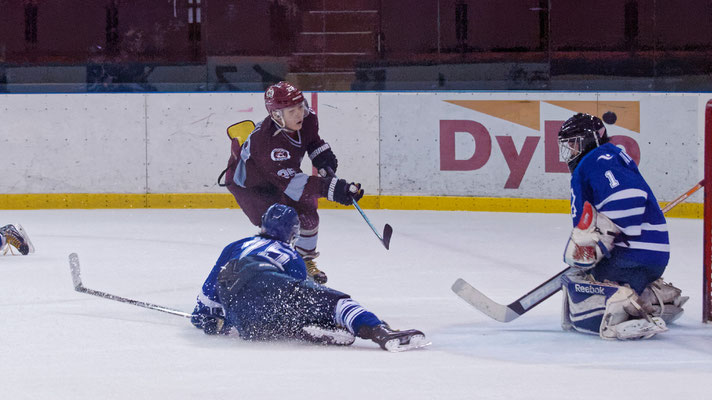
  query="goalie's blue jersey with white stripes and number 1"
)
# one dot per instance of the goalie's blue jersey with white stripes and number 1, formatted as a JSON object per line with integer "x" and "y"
{"x": 609, "y": 179}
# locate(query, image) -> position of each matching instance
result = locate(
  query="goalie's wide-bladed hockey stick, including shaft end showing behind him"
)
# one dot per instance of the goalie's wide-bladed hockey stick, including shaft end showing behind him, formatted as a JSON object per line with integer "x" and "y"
{"x": 513, "y": 310}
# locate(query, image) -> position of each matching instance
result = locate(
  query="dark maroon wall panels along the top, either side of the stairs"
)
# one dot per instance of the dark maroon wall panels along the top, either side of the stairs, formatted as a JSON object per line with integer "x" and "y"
{"x": 74, "y": 31}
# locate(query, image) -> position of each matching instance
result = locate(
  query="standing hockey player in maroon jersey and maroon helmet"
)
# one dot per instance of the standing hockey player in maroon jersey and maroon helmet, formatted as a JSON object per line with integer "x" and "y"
{"x": 267, "y": 169}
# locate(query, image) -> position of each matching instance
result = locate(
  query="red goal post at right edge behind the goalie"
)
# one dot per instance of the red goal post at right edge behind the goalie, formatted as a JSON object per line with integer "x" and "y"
{"x": 707, "y": 218}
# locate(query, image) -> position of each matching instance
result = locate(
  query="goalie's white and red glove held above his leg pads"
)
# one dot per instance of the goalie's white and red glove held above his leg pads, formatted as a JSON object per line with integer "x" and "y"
{"x": 591, "y": 239}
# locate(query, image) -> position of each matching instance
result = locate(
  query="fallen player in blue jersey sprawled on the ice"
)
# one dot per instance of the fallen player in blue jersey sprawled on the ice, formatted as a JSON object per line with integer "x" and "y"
{"x": 259, "y": 287}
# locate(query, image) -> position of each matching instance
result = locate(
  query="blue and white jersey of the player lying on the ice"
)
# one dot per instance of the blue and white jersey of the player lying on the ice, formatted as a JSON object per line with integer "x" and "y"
{"x": 276, "y": 252}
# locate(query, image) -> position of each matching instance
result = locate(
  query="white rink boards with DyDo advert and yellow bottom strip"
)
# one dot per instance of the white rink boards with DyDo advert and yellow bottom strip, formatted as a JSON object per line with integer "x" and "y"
{"x": 409, "y": 150}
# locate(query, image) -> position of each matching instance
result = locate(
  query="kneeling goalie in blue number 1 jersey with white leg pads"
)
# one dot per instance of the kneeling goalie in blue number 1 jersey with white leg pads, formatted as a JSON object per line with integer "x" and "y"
{"x": 619, "y": 244}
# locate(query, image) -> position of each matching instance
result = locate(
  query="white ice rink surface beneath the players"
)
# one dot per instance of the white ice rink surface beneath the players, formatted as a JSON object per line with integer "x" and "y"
{"x": 56, "y": 343}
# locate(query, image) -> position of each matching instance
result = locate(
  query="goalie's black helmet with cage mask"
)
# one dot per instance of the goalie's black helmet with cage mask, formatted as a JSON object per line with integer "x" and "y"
{"x": 579, "y": 135}
